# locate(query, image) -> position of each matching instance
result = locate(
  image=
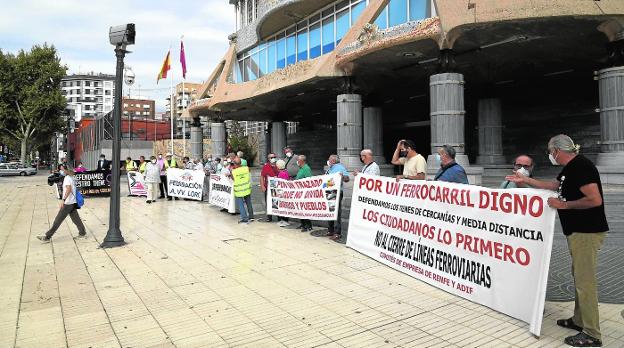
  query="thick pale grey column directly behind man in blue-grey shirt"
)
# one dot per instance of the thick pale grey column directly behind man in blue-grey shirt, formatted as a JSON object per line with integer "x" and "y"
{"x": 447, "y": 122}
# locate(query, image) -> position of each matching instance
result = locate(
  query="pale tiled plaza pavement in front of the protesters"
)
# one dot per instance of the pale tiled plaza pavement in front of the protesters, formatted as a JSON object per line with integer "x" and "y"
{"x": 190, "y": 276}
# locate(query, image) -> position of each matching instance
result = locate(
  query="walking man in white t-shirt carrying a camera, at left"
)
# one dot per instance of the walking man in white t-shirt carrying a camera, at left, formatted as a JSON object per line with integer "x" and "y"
{"x": 68, "y": 207}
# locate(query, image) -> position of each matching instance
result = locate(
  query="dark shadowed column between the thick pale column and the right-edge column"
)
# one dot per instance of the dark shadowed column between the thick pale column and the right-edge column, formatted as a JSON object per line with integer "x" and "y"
{"x": 490, "y": 132}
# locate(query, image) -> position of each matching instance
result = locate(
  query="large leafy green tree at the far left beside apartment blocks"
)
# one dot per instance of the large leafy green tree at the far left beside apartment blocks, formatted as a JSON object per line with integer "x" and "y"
{"x": 31, "y": 102}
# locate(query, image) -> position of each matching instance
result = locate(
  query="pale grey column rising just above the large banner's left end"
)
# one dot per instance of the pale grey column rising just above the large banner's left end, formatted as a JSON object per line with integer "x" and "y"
{"x": 349, "y": 127}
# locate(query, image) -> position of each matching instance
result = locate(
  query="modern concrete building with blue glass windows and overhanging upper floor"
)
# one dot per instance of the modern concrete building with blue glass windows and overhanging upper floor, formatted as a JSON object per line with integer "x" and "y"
{"x": 491, "y": 78}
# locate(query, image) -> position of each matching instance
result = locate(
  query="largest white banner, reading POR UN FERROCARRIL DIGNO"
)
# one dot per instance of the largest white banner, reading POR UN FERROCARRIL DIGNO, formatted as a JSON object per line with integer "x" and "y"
{"x": 487, "y": 245}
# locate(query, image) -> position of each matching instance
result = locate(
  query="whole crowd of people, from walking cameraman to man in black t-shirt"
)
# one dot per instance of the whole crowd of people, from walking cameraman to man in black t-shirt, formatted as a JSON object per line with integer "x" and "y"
{"x": 579, "y": 201}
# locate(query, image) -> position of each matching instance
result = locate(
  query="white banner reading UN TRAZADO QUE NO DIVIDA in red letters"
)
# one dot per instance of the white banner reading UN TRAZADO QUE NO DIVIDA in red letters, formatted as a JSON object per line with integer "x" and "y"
{"x": 313, "y": 198}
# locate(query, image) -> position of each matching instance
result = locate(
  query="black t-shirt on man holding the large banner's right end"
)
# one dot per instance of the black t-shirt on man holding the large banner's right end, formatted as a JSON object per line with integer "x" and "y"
{"x": 579, "y": 172}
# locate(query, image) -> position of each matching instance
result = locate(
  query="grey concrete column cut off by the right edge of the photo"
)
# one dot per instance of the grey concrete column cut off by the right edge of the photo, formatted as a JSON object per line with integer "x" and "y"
{"x": 610, "y": 160}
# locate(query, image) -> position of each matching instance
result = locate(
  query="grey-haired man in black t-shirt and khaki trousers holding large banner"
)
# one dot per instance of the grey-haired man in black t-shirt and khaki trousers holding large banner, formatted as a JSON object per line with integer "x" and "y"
{"x": 580, "y": 204}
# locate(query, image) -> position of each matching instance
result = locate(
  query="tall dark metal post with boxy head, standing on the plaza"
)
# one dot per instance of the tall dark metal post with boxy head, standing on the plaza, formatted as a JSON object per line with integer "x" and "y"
{"x": 120, "y": 36}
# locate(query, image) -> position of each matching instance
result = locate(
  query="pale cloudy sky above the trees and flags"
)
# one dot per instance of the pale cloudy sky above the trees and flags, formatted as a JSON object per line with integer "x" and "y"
{"x": 79, "y": 31}
